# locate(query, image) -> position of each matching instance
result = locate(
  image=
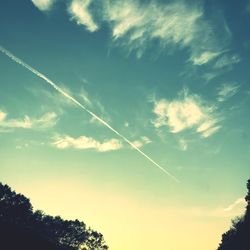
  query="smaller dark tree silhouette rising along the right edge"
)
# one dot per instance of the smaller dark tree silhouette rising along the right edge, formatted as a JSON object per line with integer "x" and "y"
{"x": 238, "y": 236}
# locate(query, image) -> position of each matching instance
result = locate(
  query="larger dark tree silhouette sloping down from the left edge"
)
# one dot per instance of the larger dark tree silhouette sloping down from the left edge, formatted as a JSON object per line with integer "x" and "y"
{"x": 21, "y": 228}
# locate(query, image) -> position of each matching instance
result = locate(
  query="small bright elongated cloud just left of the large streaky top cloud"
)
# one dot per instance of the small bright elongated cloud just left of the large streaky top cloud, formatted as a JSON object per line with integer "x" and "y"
{"x": 79, "y": 11}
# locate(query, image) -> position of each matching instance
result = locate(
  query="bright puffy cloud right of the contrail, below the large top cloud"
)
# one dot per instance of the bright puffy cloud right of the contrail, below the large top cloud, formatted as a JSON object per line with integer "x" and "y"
{"x": 187, "y": 112}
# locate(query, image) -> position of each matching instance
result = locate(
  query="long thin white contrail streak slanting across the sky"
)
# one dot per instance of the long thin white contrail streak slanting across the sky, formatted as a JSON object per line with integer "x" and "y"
{"x": 57, "y": 88}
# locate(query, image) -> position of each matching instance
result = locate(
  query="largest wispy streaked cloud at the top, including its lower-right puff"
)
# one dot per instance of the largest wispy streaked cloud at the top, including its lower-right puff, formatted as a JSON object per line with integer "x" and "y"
{"x": 172, "y": 24}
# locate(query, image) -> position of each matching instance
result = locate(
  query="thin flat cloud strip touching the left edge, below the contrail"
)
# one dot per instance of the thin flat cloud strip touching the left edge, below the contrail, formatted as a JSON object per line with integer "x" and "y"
{"x": 45, "y": 121}
